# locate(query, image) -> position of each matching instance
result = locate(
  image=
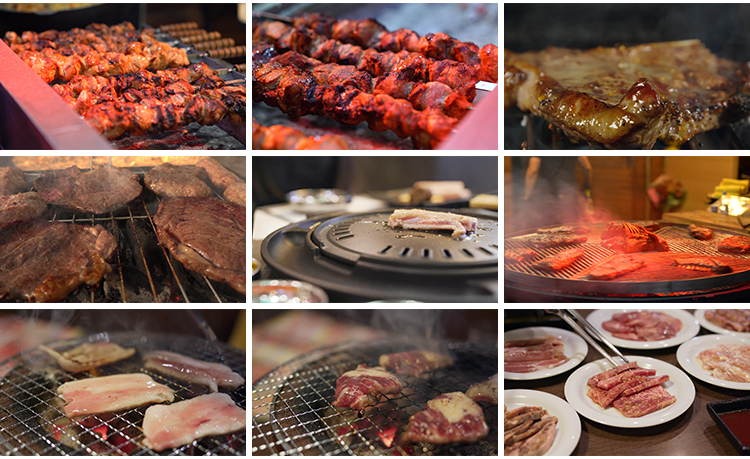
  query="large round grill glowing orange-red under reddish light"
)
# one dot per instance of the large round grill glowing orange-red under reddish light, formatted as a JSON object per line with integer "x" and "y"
{"x": 657, "y": 280}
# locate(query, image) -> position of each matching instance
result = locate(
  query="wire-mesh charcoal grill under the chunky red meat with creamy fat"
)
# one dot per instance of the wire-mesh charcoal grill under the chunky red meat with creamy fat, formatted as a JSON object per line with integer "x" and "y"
{"x": 293, "y": 415}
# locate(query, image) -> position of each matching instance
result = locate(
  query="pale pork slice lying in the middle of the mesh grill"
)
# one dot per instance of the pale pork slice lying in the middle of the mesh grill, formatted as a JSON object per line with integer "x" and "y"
{"x": 112, "y": 393}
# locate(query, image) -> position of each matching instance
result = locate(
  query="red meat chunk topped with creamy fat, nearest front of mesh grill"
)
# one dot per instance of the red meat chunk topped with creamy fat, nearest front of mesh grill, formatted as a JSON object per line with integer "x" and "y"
{"x": 451, "y": 417}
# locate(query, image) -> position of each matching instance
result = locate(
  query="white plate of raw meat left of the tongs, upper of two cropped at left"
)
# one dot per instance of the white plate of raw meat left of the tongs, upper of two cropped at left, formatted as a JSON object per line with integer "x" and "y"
{"x": 575, "y": 350}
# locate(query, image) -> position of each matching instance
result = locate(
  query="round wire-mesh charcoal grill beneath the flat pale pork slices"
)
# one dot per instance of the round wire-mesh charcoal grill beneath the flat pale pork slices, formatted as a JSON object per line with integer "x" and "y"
{"x": 32, "y": 421}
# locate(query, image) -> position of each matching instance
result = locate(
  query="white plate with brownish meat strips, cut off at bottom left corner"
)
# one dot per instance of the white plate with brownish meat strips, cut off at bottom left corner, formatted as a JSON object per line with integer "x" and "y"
{"x": 568, "y": 423}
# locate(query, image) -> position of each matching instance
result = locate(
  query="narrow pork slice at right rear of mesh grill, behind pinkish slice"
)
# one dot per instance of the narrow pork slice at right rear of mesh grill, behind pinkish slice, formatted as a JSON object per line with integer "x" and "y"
{"x": 193, "y": 370}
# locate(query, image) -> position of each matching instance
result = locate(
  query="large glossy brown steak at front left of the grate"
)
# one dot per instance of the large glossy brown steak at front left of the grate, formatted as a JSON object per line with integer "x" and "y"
{"x": 44, "y": 261}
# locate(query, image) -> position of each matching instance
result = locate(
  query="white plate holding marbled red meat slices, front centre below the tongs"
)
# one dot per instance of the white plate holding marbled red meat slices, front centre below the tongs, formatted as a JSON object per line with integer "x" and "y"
{"x": 679, "y": 385}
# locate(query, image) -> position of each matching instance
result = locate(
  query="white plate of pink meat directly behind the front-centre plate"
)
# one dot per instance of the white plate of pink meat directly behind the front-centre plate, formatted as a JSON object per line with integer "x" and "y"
{"x": 690, "y": 328}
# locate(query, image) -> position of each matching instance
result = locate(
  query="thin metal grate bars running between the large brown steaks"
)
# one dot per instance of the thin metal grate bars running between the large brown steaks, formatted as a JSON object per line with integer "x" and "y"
{"x": 109, "y": 223}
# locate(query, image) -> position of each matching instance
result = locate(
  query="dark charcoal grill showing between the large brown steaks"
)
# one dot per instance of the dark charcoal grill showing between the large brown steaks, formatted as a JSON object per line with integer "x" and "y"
{"x": 142, "y": 271}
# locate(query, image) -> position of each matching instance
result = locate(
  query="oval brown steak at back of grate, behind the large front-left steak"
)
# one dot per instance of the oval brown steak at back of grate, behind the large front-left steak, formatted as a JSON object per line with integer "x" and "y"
{"x": 98, "y": 191}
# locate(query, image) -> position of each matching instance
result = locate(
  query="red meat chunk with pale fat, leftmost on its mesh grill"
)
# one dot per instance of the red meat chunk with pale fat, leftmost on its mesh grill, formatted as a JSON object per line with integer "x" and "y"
{"x": 361, "y": 387}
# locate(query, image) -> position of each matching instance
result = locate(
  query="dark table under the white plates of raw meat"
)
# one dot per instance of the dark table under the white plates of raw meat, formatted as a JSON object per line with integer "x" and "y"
{"x": 693, "y": 433}
